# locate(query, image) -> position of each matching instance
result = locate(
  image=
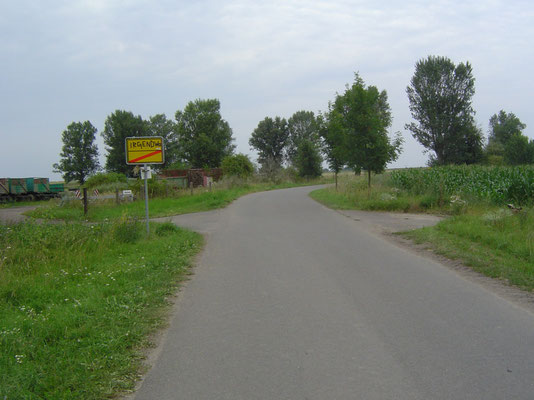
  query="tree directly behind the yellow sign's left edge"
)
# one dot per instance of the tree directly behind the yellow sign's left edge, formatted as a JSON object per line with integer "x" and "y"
{"x": 117, "y": 127}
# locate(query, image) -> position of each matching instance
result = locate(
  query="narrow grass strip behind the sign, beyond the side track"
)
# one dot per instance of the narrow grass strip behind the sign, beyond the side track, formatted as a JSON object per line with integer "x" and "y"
{"x": 202, "y": 200}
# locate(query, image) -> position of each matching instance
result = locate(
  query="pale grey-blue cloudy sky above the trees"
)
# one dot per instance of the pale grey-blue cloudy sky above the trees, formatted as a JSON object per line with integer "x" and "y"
{"x": 65, "y": 61}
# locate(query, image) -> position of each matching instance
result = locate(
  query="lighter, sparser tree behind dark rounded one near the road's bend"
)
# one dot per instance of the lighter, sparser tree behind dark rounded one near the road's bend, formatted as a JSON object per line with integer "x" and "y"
{"x": 301, "y": 126}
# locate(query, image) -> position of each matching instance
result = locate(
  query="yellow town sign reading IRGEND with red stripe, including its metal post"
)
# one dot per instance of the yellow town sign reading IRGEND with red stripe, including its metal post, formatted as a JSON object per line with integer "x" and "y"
{"x": 145, "y": 150}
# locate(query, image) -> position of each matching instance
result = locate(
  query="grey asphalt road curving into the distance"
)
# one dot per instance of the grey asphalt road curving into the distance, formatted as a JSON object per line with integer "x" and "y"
{"x": 291, "y": 300}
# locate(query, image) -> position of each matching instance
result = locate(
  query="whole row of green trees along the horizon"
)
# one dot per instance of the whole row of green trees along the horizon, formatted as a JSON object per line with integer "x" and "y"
{"x": 352, "y": 132}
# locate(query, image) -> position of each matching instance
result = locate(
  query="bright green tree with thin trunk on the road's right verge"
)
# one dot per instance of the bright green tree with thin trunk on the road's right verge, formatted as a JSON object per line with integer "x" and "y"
{"x": 365, "y": 116}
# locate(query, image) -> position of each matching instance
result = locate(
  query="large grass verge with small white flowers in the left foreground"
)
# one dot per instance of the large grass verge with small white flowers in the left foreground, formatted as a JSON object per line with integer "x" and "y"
{"x": 77, "y": 303}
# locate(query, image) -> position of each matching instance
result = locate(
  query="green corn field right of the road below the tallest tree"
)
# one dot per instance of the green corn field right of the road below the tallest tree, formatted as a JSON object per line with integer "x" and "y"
{"x": 498, "y": 185}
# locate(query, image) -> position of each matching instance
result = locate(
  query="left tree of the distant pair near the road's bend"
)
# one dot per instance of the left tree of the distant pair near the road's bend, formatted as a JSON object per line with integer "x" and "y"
{"x": 269, "y": 139}
